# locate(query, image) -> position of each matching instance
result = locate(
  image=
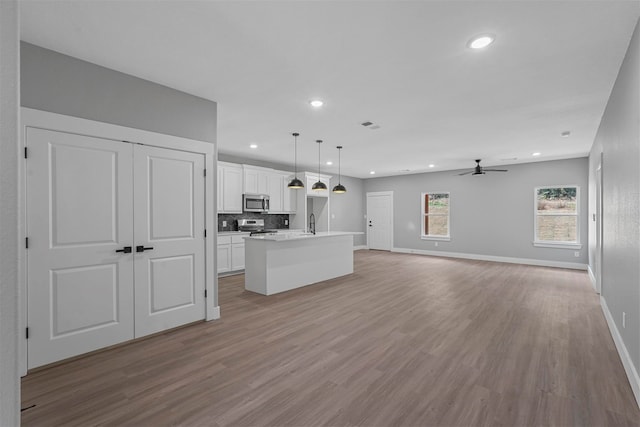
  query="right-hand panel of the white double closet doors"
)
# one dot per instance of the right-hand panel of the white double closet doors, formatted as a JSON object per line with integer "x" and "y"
{"x": 169, "y": 238}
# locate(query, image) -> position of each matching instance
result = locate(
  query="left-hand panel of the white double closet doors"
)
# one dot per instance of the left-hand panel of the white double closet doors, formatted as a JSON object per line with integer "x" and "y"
{"x": 79, "y": 210}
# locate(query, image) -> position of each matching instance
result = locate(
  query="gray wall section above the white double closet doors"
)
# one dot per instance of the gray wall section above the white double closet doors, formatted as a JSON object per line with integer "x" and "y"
{"x": 51, "y": 81}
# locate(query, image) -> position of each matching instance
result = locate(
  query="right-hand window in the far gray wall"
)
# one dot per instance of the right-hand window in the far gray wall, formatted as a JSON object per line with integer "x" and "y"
{"x": 557, "y": 220}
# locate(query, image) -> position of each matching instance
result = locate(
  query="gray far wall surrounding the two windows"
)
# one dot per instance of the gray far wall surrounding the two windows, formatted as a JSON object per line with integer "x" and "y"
{"x": 491, "y": 215}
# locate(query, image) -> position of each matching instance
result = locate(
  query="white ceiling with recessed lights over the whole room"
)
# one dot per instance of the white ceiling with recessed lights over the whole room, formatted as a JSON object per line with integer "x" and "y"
{"x": 403, "y": 65}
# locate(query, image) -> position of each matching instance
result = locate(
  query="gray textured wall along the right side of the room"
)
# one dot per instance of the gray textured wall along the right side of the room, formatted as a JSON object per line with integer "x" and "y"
{"x": 618, "y": 139}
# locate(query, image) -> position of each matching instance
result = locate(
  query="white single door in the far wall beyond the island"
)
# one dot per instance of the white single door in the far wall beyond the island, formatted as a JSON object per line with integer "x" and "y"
{"x": 380, "y": 220}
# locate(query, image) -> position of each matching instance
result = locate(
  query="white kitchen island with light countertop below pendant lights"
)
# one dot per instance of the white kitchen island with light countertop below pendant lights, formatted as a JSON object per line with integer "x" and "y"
{"x": 280, "y": 262}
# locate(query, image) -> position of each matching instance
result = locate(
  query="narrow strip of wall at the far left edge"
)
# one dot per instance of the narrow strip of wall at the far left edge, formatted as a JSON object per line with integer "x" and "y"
{"x": 9, "y": 101}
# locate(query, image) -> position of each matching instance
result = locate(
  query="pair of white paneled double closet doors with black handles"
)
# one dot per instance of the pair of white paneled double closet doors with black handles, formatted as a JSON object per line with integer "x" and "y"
{"x": 116, "y": 242}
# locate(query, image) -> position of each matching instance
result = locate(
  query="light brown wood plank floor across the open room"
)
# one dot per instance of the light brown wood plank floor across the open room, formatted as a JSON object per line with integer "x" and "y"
{"x": 406, "y": 340}
